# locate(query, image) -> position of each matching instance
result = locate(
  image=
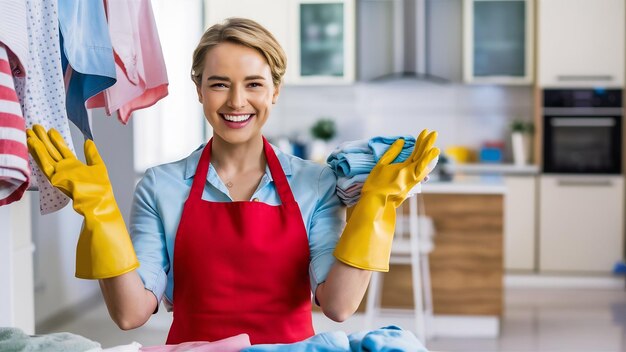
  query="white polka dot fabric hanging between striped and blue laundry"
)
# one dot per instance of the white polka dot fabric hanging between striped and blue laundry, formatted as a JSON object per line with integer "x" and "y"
{"x": 41, "y": 92}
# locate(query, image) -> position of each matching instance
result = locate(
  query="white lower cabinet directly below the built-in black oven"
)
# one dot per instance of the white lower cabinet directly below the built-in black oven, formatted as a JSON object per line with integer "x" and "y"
{"x": 581, "y": 225}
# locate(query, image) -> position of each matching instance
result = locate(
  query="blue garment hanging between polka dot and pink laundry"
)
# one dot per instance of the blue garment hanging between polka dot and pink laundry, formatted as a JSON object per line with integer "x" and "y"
{"x": 86, "y": 56}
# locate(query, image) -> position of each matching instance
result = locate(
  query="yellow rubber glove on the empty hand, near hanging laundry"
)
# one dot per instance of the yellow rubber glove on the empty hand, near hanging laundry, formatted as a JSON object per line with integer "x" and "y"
{"x": 104, "y": 248}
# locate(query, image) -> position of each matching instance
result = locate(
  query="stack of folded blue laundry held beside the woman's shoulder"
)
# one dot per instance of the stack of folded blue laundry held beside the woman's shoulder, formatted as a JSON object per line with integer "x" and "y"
{"x": 353, "y": 161}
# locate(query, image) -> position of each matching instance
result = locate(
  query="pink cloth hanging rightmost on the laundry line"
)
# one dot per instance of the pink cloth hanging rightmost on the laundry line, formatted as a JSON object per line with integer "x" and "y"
{"x": 140, "y": 67}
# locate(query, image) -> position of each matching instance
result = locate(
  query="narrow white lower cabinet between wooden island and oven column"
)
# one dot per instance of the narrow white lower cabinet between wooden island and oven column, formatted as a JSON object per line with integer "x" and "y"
{"x": 520, "y": 222}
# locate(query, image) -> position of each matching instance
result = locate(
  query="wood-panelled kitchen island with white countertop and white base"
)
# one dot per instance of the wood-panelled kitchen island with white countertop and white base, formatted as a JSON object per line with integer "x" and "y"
{"x": 466, "y": 264}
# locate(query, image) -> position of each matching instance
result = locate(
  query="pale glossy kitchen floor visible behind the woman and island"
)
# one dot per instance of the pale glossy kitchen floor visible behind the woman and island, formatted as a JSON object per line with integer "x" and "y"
{"x": 535, "y": 320}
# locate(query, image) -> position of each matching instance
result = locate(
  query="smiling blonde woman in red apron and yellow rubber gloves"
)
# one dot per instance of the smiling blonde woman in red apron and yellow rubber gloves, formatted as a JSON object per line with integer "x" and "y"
{"x": 238, "y": 236}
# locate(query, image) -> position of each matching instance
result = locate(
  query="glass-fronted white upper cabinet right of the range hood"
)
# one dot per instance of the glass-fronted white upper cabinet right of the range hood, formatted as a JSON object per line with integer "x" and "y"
{"x": 498, "y": 41}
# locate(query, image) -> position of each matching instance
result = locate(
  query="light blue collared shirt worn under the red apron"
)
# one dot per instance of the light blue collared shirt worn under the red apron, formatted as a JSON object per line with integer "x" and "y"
{"x": 163, "y": 190}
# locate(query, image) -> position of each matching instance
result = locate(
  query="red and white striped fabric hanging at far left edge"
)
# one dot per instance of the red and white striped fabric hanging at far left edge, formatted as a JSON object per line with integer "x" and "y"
{"x": 14, "y": 169}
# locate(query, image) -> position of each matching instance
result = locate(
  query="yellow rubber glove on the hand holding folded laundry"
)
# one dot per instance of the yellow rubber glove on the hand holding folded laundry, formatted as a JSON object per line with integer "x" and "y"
{"x": 366, "y": 240}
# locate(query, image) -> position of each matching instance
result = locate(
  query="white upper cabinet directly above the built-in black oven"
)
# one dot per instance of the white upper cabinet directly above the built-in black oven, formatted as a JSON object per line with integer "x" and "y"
{"x": 581, "y": 43}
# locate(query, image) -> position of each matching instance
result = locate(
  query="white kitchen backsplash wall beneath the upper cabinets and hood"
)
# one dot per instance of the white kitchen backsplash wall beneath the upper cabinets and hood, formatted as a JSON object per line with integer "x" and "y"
{"x": 462, "y": 114}
